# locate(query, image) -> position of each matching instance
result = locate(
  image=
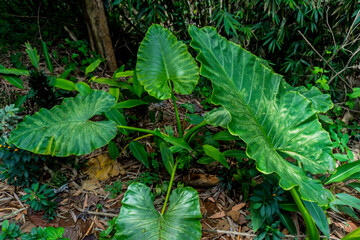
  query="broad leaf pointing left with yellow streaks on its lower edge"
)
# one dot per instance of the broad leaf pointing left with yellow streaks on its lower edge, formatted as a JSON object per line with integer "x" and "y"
{"x": 67, "y": 129}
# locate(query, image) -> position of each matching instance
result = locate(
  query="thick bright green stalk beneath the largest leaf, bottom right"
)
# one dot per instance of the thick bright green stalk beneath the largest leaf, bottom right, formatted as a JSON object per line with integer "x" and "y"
{"x": 311, "y": 228}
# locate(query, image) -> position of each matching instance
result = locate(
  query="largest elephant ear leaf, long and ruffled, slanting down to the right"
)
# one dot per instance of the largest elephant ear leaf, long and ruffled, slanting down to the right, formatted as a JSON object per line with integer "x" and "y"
{"x": 271, "y": 120}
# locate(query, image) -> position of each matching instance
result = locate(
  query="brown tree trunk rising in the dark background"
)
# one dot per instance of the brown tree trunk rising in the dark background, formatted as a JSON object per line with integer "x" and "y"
{"x": 99, "y": 32}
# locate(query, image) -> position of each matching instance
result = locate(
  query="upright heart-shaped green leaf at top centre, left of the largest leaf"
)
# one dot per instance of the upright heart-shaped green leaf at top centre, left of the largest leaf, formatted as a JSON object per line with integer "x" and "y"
{"x": 163, "y": 59}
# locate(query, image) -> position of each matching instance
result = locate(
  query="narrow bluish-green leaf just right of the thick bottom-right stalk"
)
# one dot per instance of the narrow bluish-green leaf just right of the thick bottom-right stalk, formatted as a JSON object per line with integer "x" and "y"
{"x": 317, "y": 213}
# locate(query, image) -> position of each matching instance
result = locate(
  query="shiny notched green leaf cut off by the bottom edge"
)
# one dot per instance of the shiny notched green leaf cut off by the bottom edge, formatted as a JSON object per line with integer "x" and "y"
{"x": 139, "y": 219}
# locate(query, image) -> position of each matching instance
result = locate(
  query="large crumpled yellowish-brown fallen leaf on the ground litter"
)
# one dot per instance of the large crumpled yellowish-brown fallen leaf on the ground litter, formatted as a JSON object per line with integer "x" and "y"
{"x": 103, "y": 167}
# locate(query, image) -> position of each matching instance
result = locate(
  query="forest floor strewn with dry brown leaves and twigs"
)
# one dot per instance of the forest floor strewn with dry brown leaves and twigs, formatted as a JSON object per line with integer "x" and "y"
{"x": 85, "y": 206}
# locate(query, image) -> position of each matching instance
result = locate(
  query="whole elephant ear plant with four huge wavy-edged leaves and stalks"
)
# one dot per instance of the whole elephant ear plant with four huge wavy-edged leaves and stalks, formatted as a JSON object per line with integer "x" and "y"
{"x": 278, "y": 123}
